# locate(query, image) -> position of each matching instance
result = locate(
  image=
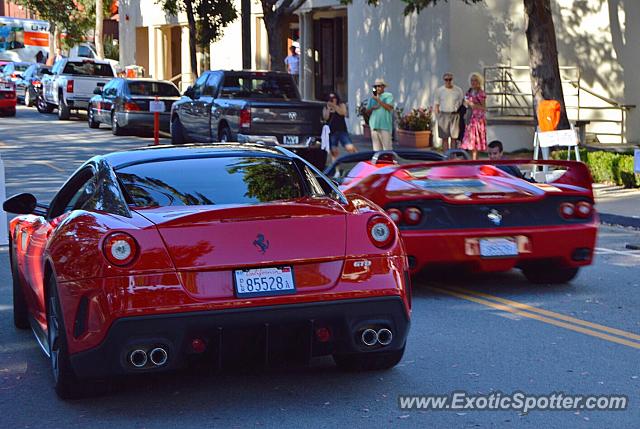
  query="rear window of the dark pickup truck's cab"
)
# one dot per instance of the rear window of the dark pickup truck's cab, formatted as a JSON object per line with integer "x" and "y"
{"x": 271, "y": 87}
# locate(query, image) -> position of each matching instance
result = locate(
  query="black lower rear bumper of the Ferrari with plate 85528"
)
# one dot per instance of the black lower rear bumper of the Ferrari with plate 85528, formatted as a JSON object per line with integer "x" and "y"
{"x": 268, "y": 335}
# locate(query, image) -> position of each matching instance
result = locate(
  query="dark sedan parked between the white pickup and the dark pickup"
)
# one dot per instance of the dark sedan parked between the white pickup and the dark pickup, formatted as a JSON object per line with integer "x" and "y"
{"x": 124, "y": 104}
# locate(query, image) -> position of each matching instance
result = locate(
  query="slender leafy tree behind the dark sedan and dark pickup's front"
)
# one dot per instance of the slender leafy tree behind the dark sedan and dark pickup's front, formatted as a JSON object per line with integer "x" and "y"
{"x": 211, "y": 16}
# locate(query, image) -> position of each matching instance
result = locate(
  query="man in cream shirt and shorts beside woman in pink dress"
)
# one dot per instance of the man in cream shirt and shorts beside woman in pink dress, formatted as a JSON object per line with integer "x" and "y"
{"x": 448, "y": 100}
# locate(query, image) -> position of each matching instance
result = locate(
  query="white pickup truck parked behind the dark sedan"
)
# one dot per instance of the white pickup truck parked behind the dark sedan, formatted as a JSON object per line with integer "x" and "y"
{"x": 71, "y": 84}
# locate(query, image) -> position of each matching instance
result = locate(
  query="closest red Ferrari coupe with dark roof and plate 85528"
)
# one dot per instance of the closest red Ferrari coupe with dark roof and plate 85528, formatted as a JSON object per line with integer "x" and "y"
{"x": 230, "y": 254}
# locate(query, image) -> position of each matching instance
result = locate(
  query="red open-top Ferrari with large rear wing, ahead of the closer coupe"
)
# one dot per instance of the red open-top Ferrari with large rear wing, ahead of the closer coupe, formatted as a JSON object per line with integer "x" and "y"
{"x": 479, "y": 215}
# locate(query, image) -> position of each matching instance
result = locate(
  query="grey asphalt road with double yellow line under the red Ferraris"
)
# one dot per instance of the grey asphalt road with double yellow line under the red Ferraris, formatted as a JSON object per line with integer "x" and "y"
{"x": 478, "y": 334}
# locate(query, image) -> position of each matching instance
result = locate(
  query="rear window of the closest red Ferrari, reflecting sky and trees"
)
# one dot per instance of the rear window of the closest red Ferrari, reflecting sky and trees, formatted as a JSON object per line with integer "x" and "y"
{"x": 208, "y": 181}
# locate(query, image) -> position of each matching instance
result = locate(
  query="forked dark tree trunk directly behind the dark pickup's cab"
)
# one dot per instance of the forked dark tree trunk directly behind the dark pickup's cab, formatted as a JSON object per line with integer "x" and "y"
{"x": 276, "y": 14}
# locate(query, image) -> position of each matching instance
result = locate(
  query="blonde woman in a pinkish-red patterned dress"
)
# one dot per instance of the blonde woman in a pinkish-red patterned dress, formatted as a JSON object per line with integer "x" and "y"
{"x": 475, "y": 135}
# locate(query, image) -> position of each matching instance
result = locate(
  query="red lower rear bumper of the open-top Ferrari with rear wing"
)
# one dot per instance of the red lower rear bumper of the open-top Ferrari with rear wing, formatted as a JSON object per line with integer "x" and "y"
{"x": 556, "y": 244}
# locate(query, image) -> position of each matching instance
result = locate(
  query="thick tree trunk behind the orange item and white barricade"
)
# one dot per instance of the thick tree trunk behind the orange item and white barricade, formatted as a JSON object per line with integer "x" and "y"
{"x": 546, "y": 83}
